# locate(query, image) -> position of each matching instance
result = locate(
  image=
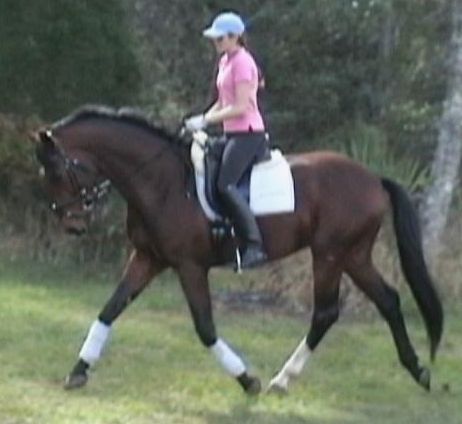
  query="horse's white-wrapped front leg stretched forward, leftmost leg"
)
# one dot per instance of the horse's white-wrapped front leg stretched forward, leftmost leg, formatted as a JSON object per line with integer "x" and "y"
{"x": 140, "y": 269}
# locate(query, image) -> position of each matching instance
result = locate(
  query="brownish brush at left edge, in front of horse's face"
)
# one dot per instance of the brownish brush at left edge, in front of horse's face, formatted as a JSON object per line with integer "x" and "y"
{"x": 29, "y": 228}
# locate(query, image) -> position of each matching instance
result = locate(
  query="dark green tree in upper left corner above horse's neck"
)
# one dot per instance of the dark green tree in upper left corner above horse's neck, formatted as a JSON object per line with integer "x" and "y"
{"x": 58, "y": 54}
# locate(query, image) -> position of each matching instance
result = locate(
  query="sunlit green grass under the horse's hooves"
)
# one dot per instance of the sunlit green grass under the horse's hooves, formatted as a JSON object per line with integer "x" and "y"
{"x": 155, "y": 370}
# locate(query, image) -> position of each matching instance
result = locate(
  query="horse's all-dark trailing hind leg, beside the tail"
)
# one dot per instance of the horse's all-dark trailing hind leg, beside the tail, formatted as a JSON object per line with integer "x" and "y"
{"x": 369, "y": 280}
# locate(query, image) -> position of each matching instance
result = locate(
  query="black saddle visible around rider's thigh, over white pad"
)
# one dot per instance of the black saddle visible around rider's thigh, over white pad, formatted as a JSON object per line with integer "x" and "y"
{"x": 213, "y": 152}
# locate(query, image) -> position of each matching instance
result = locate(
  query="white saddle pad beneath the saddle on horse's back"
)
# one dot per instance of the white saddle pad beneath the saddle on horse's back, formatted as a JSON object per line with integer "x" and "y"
{"x": 271, "y": 183}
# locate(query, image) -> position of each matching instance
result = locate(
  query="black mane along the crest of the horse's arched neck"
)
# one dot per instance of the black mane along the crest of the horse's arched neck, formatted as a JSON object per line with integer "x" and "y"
{"x": 128, "y": 115}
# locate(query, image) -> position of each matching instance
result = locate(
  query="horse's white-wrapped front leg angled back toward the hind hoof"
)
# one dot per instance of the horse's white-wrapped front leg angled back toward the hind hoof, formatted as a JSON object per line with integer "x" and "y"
{"x": 195, "y": 285}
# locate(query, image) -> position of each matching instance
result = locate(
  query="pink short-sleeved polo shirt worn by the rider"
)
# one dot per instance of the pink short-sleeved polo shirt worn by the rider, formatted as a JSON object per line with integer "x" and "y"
{"x": 233, "y": 69}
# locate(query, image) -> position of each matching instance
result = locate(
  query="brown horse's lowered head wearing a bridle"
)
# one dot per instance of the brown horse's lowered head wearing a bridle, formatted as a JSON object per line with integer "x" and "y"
{"x": 72, "y": 186}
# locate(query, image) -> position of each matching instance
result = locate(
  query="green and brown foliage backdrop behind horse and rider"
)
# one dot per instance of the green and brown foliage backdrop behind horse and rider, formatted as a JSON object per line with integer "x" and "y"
{"x": 365, "y": 77}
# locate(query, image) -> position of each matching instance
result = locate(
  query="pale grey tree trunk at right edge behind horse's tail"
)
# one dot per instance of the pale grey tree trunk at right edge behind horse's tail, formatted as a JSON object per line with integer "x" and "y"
{"x": 446, "y": 163}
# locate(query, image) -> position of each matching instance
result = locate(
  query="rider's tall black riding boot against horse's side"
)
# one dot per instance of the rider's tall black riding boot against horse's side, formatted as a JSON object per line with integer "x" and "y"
{"x": 246, "y": 227}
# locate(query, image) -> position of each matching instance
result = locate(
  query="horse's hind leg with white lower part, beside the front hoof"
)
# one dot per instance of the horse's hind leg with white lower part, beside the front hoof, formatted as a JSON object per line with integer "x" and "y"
{"x": 327, "y": 274}
